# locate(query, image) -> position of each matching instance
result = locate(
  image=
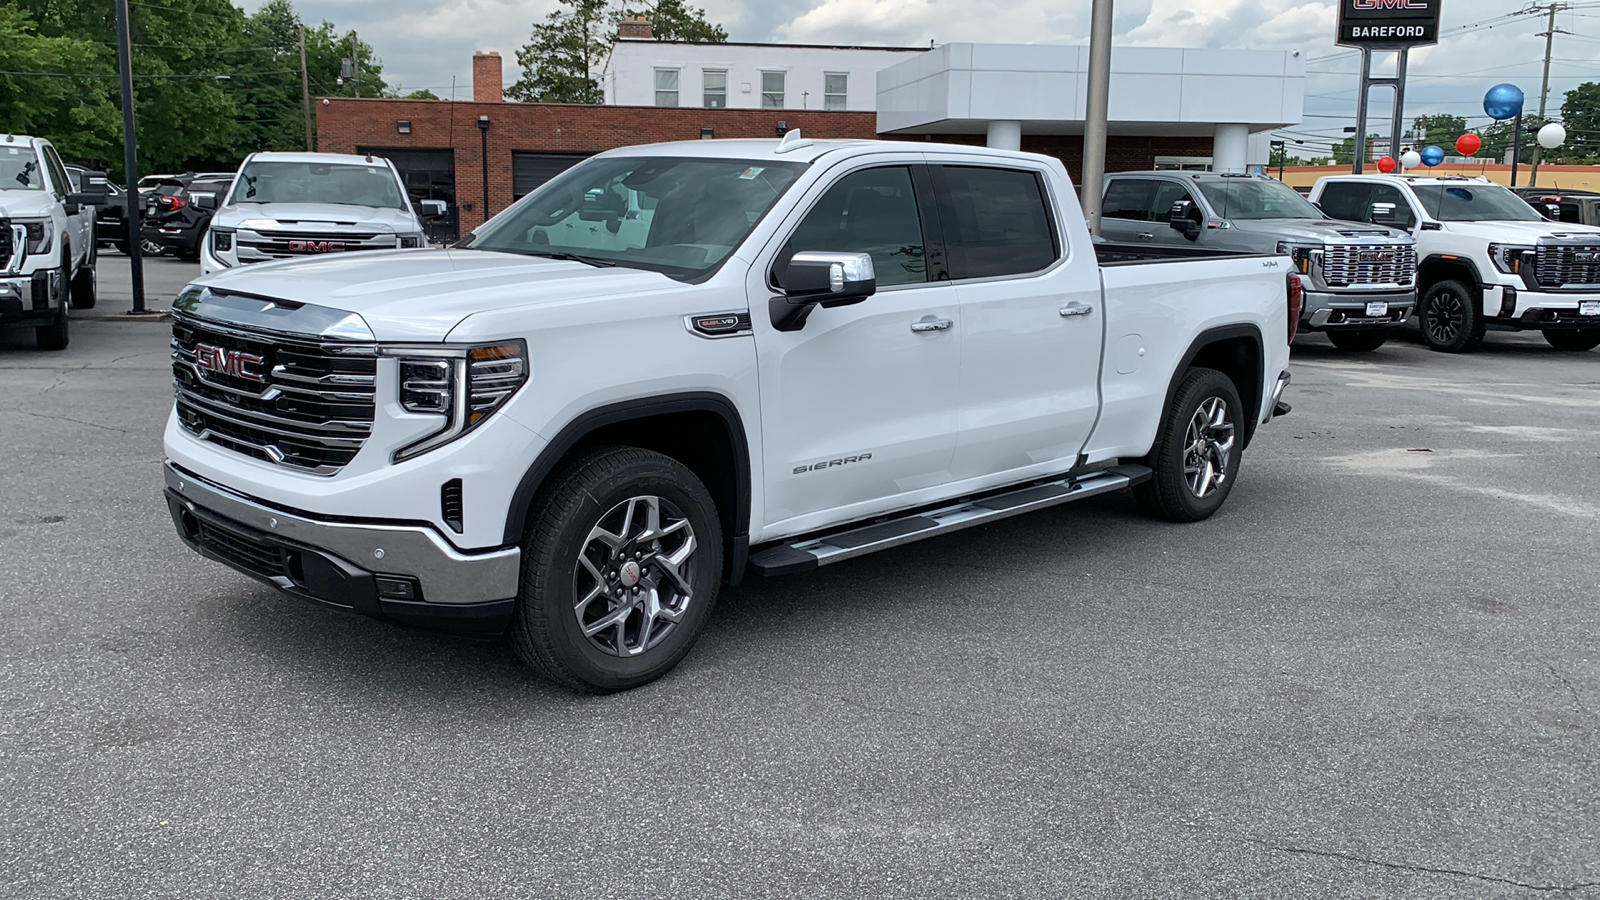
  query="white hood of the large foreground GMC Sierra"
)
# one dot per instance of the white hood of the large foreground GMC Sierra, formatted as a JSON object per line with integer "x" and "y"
{"x": 420, "y": 295}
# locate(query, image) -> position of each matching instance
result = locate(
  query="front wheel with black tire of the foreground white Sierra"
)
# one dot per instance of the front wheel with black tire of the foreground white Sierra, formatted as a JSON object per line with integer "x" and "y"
{"x": 574, "y": 579}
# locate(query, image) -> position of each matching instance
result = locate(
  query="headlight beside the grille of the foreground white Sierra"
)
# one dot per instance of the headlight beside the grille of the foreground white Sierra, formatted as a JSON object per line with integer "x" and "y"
{"x": 460, "y": 385}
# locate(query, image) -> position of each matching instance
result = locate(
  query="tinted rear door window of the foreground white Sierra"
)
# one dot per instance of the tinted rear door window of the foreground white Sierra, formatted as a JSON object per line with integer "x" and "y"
{"x": 996, "y": 222}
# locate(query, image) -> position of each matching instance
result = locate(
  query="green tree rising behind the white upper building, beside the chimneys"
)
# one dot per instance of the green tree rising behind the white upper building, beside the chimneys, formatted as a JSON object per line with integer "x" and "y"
{"x": 569, "y": 50}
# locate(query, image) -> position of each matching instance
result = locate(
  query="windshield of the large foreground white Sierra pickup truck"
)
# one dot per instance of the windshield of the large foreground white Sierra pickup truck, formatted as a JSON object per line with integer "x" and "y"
{"x": 673, "y": 215}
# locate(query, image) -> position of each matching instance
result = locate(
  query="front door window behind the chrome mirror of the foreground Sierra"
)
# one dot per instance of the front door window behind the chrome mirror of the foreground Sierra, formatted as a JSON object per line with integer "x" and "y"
{"x": 866, "y": 212}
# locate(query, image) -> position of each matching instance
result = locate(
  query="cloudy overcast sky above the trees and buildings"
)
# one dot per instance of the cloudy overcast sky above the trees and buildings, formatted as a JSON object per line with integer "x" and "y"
{"x": 423, "y": 46}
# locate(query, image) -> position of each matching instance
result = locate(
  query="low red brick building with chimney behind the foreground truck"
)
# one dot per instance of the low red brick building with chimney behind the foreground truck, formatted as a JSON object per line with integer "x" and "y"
{"x": 444, "y": 150}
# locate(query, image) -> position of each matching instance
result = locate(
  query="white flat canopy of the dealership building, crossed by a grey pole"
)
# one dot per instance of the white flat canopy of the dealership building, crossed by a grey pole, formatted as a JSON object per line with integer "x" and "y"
{"x": 961, "y": 89}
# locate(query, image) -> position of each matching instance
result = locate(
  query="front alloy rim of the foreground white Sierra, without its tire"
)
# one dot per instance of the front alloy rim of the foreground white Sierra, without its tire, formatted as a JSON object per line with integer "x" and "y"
{"x": 634, "y": 576}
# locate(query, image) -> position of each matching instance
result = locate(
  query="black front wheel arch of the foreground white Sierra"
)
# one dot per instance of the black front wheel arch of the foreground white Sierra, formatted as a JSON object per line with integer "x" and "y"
{"x": 700, "y": 430}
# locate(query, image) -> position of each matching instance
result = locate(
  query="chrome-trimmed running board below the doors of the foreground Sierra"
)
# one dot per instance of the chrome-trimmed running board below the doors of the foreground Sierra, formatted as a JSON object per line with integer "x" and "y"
{"x": 810, "y": 553}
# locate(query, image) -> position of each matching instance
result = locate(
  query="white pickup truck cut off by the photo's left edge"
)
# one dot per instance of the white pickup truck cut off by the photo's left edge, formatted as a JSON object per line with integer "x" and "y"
{"x": 47, "y": 239}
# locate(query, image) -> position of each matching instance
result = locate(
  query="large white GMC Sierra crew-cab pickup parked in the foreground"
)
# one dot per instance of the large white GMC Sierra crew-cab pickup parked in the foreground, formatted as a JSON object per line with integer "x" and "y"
{"x": 678, "y": 363}
